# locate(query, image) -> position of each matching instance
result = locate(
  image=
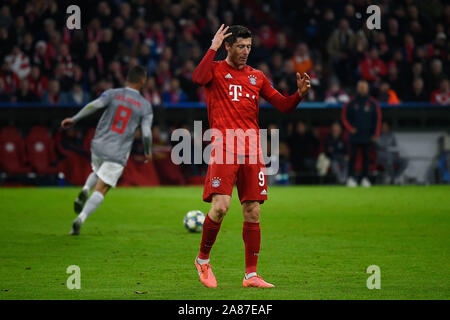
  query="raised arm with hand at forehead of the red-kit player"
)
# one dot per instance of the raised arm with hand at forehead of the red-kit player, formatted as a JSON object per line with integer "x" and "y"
{"x": 203, "y": 73}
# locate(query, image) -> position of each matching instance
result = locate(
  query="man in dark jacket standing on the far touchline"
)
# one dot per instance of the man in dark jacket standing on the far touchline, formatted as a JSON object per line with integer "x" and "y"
{"x": 362, "y": 119}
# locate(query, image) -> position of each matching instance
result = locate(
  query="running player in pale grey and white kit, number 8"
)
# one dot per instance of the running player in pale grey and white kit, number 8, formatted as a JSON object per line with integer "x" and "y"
{"x": 125, "y": 111}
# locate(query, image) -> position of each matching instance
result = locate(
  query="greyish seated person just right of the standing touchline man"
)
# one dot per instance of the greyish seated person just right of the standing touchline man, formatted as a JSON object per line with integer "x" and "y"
{"x": 388, "y": 156}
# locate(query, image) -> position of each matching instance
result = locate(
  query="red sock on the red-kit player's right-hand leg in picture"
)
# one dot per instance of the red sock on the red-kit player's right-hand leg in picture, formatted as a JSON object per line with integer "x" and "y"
{"x": 251, "y": 234}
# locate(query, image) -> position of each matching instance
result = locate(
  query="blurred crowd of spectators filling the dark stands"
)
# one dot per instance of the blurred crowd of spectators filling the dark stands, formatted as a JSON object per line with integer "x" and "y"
{"x": 43, "y": 61}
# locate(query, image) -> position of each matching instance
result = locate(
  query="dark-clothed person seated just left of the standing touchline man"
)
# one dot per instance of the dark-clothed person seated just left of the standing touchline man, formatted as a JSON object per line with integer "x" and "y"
{"x": 337, "y": 150}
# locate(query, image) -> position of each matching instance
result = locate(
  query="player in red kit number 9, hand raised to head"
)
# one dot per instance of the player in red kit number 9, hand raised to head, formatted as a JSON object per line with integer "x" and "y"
{"x": 232, "y": 90}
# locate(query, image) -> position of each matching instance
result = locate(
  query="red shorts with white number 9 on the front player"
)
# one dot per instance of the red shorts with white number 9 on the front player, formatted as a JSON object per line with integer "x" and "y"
{"x": 250, "y": 180}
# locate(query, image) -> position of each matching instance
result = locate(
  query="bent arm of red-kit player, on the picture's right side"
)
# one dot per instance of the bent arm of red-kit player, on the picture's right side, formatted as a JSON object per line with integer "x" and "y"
{"x": 281, "y": 102}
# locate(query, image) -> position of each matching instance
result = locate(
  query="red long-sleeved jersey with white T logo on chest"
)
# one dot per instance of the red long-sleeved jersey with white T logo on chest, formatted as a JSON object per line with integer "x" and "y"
{"x": 232, "y": 98}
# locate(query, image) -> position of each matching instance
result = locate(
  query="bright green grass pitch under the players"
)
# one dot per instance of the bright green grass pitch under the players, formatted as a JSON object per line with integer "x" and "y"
{"x": 316, "y": 244}
